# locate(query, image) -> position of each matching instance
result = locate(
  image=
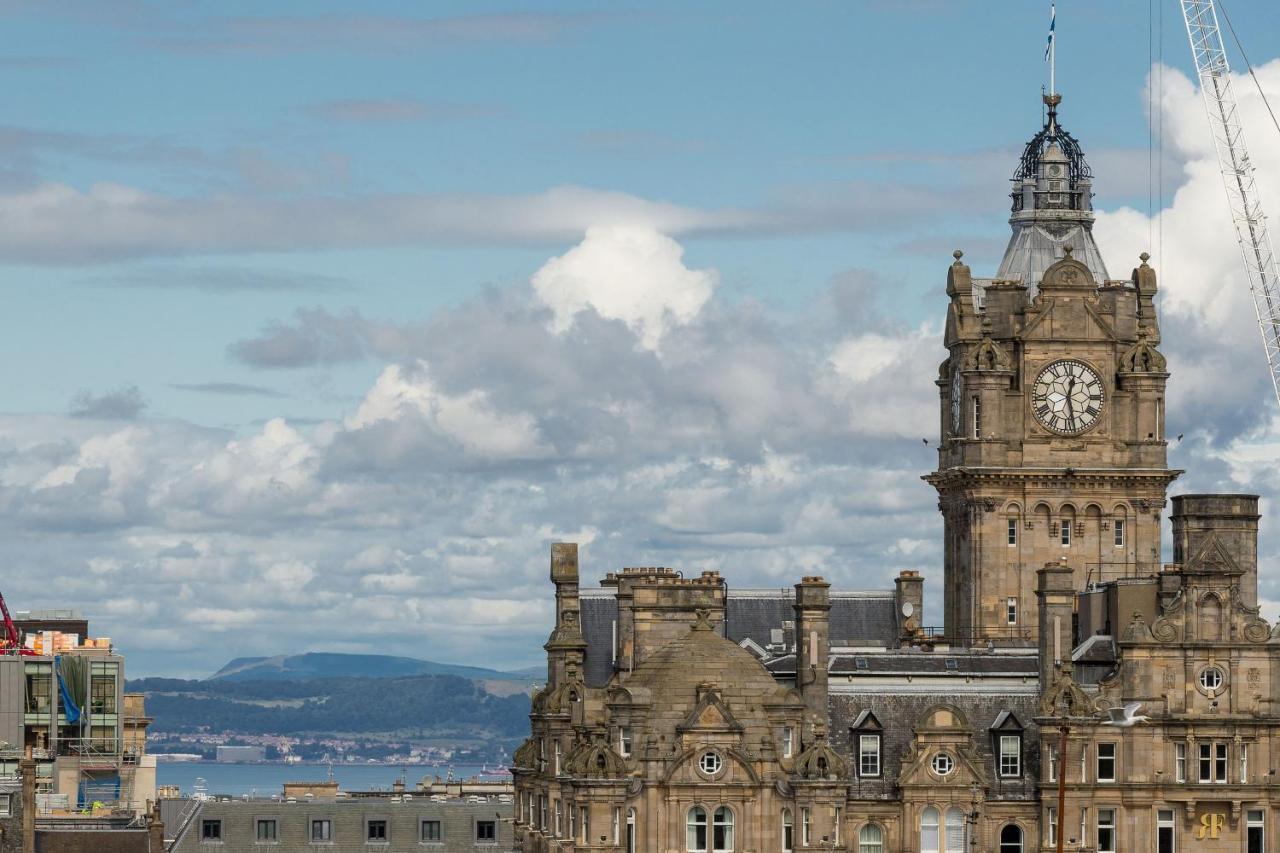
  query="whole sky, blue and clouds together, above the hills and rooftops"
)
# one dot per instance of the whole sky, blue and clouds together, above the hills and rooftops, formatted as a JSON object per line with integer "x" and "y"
{"x": 323, "y": 321}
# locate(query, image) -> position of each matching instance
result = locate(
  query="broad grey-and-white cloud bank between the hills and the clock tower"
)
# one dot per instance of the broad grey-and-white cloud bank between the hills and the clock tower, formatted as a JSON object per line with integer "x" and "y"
{"x": 493, "y": 431}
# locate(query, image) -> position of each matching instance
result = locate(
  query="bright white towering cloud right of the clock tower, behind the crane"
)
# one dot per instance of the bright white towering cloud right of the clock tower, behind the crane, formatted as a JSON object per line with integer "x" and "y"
{"x": 1209, "y": 321}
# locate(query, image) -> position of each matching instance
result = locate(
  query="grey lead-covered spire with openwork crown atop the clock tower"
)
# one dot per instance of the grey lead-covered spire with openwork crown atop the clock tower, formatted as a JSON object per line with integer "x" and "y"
{"x": 1053, "y": 207}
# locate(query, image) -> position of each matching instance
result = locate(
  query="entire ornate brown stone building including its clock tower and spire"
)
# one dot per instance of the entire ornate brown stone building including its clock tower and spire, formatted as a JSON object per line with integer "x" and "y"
{"x": 1080, "y": 694}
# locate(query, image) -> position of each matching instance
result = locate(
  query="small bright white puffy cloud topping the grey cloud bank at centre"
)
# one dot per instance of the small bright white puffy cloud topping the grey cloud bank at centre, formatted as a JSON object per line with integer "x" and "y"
{"x": 633, "y": 275}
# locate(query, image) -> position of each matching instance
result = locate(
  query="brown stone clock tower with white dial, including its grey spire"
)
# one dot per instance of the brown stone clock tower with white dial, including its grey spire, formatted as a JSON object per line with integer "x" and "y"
{"x": 1053, "y": 409}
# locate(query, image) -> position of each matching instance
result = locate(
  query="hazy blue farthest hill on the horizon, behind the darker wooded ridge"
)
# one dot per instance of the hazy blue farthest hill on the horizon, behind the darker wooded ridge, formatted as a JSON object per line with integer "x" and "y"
{"x": 332, "y": 665}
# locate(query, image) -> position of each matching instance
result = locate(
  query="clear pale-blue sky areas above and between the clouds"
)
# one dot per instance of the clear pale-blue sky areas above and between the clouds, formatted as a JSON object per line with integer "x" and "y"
{"x": 703, "y": 106}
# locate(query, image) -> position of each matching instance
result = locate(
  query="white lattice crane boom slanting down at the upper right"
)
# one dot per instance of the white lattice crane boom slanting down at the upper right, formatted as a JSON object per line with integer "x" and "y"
{"x": 1233, "y": 161}
